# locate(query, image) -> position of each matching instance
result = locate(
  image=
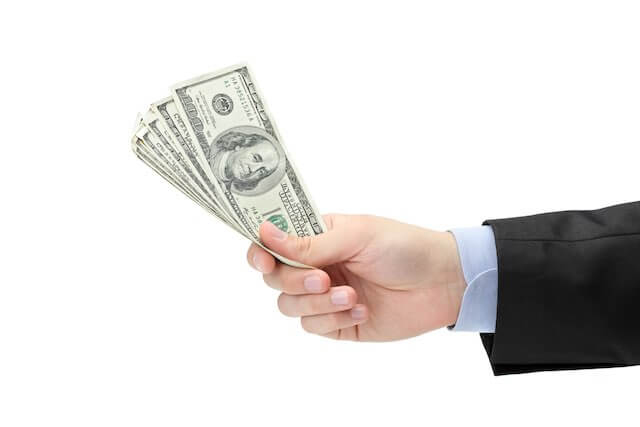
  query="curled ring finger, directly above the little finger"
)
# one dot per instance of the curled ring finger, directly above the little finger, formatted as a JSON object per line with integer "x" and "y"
{"x": 339, "y": 298}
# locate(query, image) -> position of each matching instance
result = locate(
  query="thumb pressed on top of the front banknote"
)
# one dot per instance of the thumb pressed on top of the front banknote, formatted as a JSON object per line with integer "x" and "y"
{"x": 318, "y": 251}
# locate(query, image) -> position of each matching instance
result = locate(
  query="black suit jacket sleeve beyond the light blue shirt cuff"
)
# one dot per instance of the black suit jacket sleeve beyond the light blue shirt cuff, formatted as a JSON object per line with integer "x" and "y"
{"x": 568, "y": 291}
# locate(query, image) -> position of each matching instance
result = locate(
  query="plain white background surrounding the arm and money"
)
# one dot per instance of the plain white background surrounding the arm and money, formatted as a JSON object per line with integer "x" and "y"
{"x": 123, "y": 303}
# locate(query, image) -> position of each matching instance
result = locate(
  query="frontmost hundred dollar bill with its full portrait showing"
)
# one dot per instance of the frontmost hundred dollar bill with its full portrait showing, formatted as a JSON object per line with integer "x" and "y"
{"x": 237, "y": 140}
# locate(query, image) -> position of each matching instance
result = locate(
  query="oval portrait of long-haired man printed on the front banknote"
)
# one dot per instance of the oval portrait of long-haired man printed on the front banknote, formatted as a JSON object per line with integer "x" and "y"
{"x": 248, "y": 160}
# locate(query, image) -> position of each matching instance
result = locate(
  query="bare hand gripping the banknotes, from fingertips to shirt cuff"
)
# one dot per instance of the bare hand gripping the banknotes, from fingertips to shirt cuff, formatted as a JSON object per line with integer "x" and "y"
{"x": 377, "y": 279}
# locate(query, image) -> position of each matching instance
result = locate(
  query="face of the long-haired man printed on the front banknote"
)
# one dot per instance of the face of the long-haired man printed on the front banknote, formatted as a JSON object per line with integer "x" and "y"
{"x": 249, "y": 163}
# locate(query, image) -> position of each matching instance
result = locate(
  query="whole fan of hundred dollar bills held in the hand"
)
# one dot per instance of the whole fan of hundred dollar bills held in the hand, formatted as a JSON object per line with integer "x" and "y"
{"x": 215, "y": 140}
